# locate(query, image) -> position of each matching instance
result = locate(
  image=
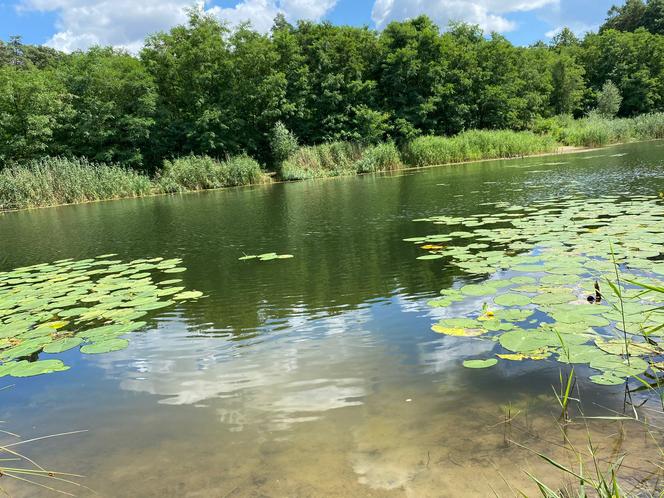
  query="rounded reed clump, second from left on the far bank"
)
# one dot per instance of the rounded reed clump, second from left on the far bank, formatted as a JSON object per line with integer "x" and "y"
{"x": 203, "y": 172}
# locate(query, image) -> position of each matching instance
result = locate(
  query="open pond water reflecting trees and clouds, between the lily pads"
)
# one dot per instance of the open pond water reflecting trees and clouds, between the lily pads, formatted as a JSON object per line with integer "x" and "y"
{"x": 313, "y": 376}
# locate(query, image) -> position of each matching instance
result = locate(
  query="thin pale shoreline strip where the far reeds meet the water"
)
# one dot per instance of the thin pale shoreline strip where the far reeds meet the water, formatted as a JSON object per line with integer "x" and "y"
{"x": 562, "y": 150}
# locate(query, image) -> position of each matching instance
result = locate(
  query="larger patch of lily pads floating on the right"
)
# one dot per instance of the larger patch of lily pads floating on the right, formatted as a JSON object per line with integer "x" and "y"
{"x": 546, "y": 272}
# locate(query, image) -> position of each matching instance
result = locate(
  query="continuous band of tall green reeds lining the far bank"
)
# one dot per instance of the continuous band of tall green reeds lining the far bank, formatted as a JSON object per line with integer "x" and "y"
{"x": 51, "y": 182}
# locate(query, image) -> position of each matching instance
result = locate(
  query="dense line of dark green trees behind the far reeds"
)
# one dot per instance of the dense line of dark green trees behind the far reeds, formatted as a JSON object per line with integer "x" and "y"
{"x": 204, "y": 88}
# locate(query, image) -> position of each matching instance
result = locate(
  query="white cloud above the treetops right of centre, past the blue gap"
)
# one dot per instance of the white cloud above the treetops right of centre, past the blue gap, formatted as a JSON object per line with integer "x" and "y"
{"x": 489, "y": 14}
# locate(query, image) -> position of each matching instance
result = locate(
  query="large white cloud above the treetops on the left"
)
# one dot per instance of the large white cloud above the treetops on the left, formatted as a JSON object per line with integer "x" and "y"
{"x": 125, "y": 23}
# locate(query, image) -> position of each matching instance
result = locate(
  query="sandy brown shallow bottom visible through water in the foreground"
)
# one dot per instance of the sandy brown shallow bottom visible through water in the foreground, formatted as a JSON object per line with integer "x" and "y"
{"x": 386, "y": 447}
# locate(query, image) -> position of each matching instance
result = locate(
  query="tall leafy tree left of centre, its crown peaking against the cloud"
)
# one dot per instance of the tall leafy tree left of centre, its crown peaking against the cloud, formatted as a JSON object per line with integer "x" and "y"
{"x": 191, "y": 66}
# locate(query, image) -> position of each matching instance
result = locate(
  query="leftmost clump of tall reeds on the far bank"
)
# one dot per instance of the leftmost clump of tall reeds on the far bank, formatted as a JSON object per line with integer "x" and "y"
{"x": 53, "y": 181}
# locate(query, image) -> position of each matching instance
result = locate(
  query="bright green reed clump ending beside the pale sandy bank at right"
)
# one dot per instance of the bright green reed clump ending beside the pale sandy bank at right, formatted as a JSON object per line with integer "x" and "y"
{"x": 474, "y": 145}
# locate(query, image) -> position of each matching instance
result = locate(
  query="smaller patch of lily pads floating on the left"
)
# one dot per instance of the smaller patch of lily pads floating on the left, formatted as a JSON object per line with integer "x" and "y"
{"x": 93, "y": 305}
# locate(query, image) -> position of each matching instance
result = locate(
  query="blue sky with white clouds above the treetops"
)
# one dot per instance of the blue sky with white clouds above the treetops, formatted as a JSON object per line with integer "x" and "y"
{"x": 78, "y": 24}
